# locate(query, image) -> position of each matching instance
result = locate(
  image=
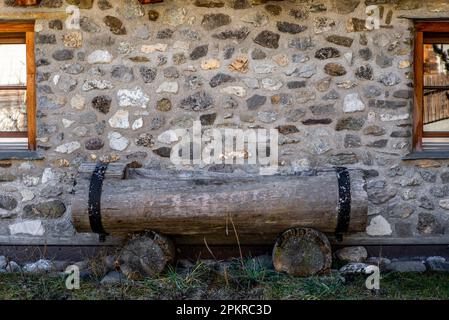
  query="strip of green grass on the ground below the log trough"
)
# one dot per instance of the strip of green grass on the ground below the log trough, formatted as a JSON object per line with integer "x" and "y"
{"x": 228, "y": 281}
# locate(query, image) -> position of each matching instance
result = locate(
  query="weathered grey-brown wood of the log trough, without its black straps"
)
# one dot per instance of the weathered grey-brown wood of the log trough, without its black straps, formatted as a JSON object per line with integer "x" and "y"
{"x": 209, "y": 203}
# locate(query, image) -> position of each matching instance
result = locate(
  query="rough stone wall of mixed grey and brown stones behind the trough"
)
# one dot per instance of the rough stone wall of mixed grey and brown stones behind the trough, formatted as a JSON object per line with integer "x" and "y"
{"x": 338, "y": 93}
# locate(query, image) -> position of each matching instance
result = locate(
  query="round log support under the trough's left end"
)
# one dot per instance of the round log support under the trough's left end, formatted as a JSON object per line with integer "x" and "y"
{"x": 147, "y": 254}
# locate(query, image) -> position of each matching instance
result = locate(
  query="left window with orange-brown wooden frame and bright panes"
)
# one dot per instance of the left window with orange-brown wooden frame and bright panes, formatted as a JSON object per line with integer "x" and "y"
{"x": 17, "y": 87}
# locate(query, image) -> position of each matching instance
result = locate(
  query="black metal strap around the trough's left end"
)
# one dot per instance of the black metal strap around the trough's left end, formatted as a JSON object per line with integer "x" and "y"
{"x": 94, "y": 202}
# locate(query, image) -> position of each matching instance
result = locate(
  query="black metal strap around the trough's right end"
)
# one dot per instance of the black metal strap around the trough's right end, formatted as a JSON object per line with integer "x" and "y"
{"x": 344, "y": 200}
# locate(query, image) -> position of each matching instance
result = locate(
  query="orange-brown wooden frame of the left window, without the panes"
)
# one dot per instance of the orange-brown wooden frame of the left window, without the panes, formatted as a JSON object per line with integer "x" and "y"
{"x": 27, "y": 28}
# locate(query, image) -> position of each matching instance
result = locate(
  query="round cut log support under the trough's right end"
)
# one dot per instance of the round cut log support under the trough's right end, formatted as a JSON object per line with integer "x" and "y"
{"x": 302, "y": 252}
